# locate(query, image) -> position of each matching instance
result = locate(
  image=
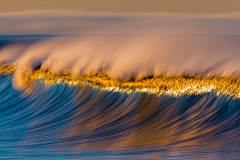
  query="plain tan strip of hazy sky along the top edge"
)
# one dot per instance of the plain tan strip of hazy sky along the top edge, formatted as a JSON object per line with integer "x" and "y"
{"x": 187, "y": 6}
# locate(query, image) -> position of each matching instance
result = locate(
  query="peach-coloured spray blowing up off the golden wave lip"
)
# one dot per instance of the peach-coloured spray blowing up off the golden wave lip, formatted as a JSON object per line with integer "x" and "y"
{"x": 128, "y": 57}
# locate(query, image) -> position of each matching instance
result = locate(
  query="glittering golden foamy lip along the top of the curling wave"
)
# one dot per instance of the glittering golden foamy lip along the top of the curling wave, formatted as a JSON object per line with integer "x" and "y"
{"x": 158, "y": 85}
